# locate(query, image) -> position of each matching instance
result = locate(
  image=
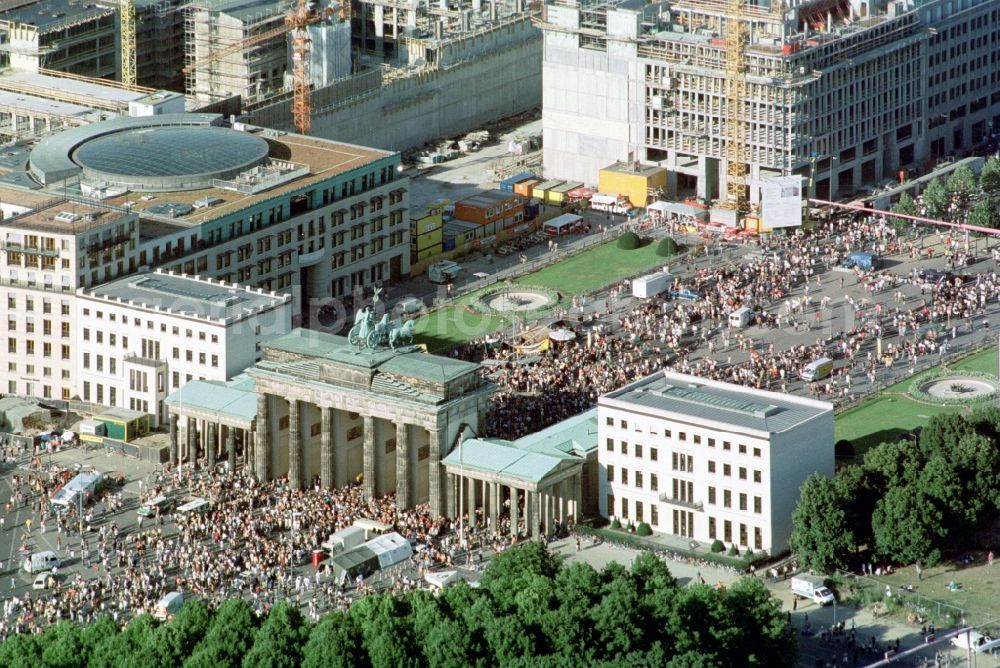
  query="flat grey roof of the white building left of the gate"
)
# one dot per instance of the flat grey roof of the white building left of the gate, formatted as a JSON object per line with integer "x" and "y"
{"x": 187, "y": 296}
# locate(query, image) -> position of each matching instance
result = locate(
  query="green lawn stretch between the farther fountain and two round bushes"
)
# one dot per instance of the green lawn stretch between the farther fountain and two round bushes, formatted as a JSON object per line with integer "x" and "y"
{"x": 595, "y": 268}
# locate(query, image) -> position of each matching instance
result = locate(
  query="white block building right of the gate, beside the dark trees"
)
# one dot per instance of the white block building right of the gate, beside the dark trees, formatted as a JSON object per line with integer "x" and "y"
{"x": 706, "y": 460}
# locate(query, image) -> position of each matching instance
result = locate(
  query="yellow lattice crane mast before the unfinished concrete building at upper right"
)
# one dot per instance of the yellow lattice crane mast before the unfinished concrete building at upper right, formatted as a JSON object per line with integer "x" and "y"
{"x": 737, "y": 153}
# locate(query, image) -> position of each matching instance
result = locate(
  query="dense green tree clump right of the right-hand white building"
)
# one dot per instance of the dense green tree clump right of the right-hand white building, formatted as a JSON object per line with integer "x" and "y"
{"x": 907, "y": 501}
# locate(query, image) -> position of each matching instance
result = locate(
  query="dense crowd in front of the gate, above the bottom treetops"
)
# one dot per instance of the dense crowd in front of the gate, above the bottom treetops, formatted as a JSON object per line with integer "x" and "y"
{"x": 251, "y": 543}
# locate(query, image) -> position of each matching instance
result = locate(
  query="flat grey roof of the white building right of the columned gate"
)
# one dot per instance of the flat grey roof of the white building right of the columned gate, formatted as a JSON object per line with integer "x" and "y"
{"x": 696, "y": 399}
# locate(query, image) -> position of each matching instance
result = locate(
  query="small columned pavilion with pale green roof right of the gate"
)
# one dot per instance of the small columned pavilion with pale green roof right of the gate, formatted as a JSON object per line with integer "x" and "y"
{"x": 539, "y": 480}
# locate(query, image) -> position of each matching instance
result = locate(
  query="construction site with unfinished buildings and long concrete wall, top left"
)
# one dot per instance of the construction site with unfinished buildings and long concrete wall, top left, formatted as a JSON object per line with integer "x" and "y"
{"x": 376, "y": 72}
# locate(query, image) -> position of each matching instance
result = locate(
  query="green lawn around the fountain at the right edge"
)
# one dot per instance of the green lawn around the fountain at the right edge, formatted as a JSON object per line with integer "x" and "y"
{"x": 893, "y": 411}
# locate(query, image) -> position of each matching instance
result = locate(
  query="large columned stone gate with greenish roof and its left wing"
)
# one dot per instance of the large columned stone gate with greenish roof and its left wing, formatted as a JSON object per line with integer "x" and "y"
{"x": 330, "y": 410}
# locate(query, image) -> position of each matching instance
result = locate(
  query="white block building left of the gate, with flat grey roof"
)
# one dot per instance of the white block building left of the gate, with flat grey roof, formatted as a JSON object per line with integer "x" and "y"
{"x": 142, "y": 337}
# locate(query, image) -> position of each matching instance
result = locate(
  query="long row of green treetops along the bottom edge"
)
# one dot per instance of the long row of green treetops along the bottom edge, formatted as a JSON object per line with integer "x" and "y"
{"x": 530, "y": 611}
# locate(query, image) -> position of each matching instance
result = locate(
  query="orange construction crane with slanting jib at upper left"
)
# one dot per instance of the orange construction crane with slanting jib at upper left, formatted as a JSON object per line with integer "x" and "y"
{"x": 296, "y": 22}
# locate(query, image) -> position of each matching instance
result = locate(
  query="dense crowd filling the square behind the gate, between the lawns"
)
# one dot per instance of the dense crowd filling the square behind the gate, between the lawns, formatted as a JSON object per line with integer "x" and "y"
{"x": 778, "y": 283}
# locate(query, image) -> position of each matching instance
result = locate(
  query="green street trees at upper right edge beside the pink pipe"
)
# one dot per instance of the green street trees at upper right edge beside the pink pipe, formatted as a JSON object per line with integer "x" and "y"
{"x": 960, "y": 188}
